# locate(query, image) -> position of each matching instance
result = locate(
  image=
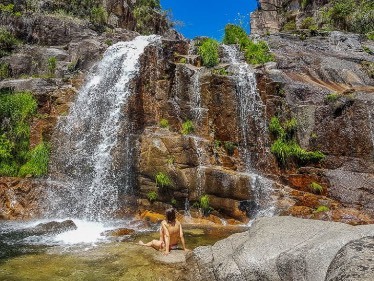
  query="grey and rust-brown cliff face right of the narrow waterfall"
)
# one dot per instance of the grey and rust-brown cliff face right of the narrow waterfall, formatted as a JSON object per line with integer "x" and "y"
{"x": 307, "y": 73}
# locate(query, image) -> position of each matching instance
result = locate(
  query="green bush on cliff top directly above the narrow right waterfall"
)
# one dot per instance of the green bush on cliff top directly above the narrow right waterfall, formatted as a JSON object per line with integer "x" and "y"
{"x": 255, "y": 53}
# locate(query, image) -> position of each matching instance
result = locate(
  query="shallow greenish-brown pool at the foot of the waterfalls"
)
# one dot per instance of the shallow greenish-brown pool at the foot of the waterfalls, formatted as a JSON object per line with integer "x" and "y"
{"x": 85, "y": 255}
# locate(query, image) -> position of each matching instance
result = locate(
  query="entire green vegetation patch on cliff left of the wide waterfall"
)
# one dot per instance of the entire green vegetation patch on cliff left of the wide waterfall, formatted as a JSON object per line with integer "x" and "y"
{"x": 16, "y": 112}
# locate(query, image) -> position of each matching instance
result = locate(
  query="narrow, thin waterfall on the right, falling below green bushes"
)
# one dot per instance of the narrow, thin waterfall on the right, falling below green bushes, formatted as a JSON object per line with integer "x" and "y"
{"x": 252, "y": 128}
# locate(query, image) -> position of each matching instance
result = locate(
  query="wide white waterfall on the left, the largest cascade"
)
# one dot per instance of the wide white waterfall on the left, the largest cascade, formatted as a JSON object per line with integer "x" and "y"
{"x": 92, "y": 162}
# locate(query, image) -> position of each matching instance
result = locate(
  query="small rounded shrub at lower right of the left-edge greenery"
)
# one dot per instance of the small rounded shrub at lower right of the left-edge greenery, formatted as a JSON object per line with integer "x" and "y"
{"x": 37, "y": 164}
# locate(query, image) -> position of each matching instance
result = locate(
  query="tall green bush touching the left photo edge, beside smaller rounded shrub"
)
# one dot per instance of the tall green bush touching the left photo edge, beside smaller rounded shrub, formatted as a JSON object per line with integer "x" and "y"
{"x": 17, "y": 109}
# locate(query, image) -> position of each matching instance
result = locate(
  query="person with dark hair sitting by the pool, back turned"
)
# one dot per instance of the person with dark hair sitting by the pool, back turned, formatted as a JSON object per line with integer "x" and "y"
{"x": 170, "y": 233}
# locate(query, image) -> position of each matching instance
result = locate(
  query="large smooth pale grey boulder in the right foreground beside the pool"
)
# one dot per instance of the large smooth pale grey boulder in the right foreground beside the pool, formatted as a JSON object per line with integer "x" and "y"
{"x": 286, "y": 248}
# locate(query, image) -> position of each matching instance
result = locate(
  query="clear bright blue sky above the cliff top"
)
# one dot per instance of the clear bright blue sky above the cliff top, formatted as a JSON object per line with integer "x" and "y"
{"x": 208, "y": 17}
